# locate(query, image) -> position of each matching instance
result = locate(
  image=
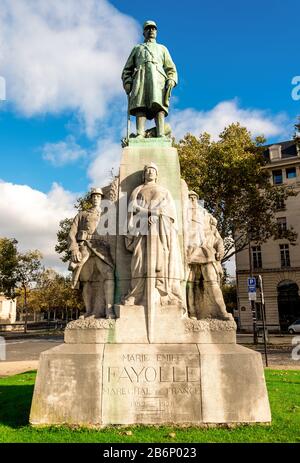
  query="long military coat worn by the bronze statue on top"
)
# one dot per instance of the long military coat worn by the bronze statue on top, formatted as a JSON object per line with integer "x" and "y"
{"x": 147, "y": 69}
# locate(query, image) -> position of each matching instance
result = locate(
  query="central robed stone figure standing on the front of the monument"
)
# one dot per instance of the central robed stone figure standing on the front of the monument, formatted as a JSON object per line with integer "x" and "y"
{"x": 152, "y": 239}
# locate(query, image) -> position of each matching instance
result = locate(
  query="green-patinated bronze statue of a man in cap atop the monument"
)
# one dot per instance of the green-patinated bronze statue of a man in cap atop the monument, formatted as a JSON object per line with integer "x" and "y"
{"x": 148, "y": 78}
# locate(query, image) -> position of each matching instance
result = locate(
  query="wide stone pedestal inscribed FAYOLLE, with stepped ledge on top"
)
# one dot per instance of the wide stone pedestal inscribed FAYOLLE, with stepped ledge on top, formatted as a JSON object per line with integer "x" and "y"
{"x": 108, "y": 373}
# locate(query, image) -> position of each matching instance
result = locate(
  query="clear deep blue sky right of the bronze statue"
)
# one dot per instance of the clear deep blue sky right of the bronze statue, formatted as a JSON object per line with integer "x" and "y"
{"x": 229, "y": 48}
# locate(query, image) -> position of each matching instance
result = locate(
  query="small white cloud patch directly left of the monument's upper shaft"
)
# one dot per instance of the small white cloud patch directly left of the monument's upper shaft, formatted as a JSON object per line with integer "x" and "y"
{"x": 106, "y": 159}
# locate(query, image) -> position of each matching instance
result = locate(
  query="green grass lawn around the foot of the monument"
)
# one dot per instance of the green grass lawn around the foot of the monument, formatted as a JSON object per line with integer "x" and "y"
{"x": 284, "y": 393}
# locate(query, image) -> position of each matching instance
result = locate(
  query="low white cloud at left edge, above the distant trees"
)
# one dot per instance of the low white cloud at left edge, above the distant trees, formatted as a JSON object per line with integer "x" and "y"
{"x": 32, "y": 217}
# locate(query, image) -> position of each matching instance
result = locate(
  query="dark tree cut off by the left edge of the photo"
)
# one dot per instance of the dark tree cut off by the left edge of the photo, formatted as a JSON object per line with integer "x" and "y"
{"x": 8, "y": 265}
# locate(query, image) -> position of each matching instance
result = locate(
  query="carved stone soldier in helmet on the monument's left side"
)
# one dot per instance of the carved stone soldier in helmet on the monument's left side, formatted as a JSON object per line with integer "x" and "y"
{"x": 91, "y": 261}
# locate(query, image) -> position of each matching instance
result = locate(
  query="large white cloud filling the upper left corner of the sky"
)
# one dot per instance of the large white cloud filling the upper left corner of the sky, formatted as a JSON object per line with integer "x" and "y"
{"x": 64, "y": 55}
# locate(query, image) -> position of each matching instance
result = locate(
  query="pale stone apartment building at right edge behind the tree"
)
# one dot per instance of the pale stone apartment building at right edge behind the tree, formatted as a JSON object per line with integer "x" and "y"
{"x": 277, "y": 261}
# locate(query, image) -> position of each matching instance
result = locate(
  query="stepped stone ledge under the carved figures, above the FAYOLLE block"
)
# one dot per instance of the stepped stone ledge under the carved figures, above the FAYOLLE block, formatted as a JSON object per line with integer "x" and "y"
{"x": 171, "y": 326}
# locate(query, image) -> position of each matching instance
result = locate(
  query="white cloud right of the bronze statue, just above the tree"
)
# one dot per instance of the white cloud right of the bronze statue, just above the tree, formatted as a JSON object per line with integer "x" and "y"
{"x": 259, "y": 122}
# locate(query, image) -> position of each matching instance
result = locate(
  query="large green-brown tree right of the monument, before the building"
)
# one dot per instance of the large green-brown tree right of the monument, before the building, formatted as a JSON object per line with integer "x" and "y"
{"x": 230, "y": 175}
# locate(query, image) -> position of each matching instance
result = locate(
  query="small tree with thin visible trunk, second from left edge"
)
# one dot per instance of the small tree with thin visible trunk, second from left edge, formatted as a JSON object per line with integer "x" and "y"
{"x": 27, "y": 272}
